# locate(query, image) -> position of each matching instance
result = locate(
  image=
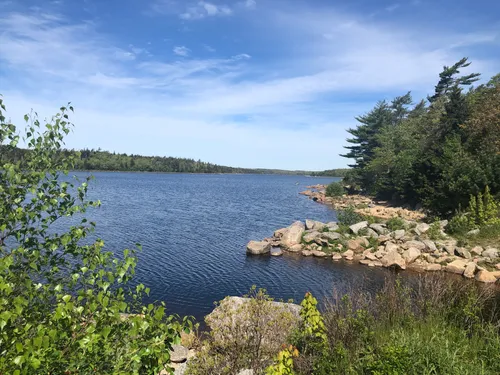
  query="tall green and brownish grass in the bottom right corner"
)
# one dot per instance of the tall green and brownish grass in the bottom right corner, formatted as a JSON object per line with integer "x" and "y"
{"x": 439, "y": 326}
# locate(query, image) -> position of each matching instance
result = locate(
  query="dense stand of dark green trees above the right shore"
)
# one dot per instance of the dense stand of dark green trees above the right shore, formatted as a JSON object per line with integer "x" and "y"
{"x": 435, "y": 153}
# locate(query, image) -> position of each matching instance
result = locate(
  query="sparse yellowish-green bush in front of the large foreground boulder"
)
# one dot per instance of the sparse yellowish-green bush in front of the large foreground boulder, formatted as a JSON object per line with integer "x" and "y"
{"x": 243, "y": 336}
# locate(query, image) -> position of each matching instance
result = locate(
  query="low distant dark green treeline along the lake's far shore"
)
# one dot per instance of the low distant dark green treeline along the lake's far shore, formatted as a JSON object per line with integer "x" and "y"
{"x": 98, "y": 160}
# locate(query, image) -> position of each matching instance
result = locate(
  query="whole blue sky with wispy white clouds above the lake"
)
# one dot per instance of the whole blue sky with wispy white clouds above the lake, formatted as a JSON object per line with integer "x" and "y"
{"x": 247, "y": 83}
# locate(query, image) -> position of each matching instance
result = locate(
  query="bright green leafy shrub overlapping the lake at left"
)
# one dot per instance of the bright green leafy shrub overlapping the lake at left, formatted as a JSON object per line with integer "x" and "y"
{"x": 62, "y": 297}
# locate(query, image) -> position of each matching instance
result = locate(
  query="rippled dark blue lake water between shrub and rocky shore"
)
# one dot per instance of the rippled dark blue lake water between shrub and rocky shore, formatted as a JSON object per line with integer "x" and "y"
{"x": 194, "y": 230}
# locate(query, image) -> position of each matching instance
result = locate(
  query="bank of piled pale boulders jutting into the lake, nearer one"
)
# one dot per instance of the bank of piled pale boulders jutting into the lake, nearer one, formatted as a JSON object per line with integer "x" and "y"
{"x": 375, "y": 245}
